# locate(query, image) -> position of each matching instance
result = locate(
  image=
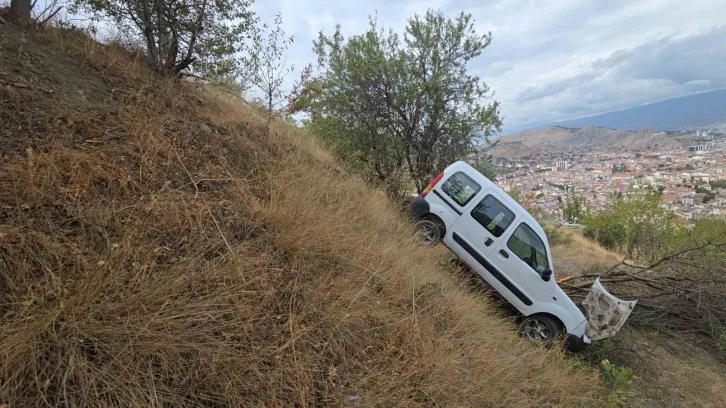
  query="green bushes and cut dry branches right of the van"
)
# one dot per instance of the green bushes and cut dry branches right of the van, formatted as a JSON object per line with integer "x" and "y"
{"x": 675, "y": 270}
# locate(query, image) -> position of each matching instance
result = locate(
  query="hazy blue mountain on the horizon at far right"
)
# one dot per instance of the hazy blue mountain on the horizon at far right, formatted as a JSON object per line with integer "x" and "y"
{"x": 705, "y": 109}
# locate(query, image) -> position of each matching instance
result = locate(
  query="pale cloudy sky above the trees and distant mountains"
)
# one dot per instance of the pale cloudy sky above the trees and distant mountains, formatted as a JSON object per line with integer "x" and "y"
{"x": 554, "y": 60}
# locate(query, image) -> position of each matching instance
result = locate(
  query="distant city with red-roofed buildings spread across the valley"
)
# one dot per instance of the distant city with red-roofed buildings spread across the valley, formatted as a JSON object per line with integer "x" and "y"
{"x": 550, "y": 166}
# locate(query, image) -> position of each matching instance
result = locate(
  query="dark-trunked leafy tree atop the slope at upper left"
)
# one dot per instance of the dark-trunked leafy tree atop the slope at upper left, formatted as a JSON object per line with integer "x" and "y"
{"x": 202, "y": 35}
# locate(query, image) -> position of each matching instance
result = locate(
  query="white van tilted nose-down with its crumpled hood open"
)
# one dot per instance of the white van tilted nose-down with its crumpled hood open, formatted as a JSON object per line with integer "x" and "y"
{"x": 503, "y": 243}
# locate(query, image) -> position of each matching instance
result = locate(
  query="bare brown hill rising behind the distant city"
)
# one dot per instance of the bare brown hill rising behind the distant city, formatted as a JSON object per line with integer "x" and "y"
{"x": 591, "y": 137}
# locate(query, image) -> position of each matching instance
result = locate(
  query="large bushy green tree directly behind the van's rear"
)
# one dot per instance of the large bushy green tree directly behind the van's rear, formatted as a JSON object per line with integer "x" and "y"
{"x": 401, "y": 108}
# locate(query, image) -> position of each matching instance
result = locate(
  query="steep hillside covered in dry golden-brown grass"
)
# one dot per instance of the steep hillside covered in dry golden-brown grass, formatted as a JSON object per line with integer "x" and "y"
{"x": 158, "y": 248}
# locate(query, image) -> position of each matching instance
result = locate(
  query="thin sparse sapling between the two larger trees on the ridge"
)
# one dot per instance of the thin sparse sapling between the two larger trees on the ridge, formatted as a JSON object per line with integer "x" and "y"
{"x": 266, "y": 64}
